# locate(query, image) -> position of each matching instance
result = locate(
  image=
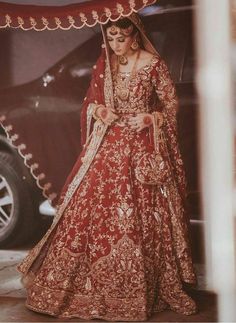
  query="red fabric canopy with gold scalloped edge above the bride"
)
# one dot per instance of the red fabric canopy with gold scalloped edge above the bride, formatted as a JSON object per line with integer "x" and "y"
{"x": 87, "y": 13}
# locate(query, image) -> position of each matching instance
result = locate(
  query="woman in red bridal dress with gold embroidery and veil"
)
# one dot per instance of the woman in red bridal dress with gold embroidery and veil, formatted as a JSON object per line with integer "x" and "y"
{"x": 118, "y": 247}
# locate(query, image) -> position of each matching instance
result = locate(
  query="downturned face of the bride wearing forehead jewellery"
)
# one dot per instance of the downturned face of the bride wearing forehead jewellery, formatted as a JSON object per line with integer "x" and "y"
{"x": 118, "y": 41}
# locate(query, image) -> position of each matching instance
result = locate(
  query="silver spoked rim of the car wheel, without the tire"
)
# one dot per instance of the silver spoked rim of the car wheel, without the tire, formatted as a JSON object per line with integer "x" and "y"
{"x": 6, "y": 204}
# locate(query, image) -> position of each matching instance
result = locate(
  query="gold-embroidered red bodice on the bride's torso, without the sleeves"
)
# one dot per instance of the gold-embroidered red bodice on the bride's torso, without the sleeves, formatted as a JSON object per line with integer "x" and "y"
{"x": 135, "y": 93}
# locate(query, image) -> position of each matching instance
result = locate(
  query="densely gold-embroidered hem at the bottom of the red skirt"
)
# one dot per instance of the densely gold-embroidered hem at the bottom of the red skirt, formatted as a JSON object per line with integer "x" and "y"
{"x": 92, "y": 292}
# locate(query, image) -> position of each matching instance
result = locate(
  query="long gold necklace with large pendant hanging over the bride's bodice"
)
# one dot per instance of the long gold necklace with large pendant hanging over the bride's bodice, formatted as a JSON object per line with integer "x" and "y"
{"x": 123, "y": 82}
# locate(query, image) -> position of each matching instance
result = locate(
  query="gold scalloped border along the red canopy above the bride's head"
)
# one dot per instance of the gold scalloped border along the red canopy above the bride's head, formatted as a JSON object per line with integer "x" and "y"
{"x": 71, "y": 19}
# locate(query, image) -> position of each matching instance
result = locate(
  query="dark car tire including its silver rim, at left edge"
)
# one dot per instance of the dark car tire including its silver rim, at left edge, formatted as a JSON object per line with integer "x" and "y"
{"x": 17, "y": 212}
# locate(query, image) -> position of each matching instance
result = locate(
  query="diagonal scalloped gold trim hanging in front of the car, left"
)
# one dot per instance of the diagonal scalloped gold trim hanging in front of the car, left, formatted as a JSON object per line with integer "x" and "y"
{"x": 26, "y": 158}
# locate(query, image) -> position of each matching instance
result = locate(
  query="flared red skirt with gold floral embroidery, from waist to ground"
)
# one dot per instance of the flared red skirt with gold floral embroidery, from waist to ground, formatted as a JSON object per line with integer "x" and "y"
{"x": 111, "y": 255}
